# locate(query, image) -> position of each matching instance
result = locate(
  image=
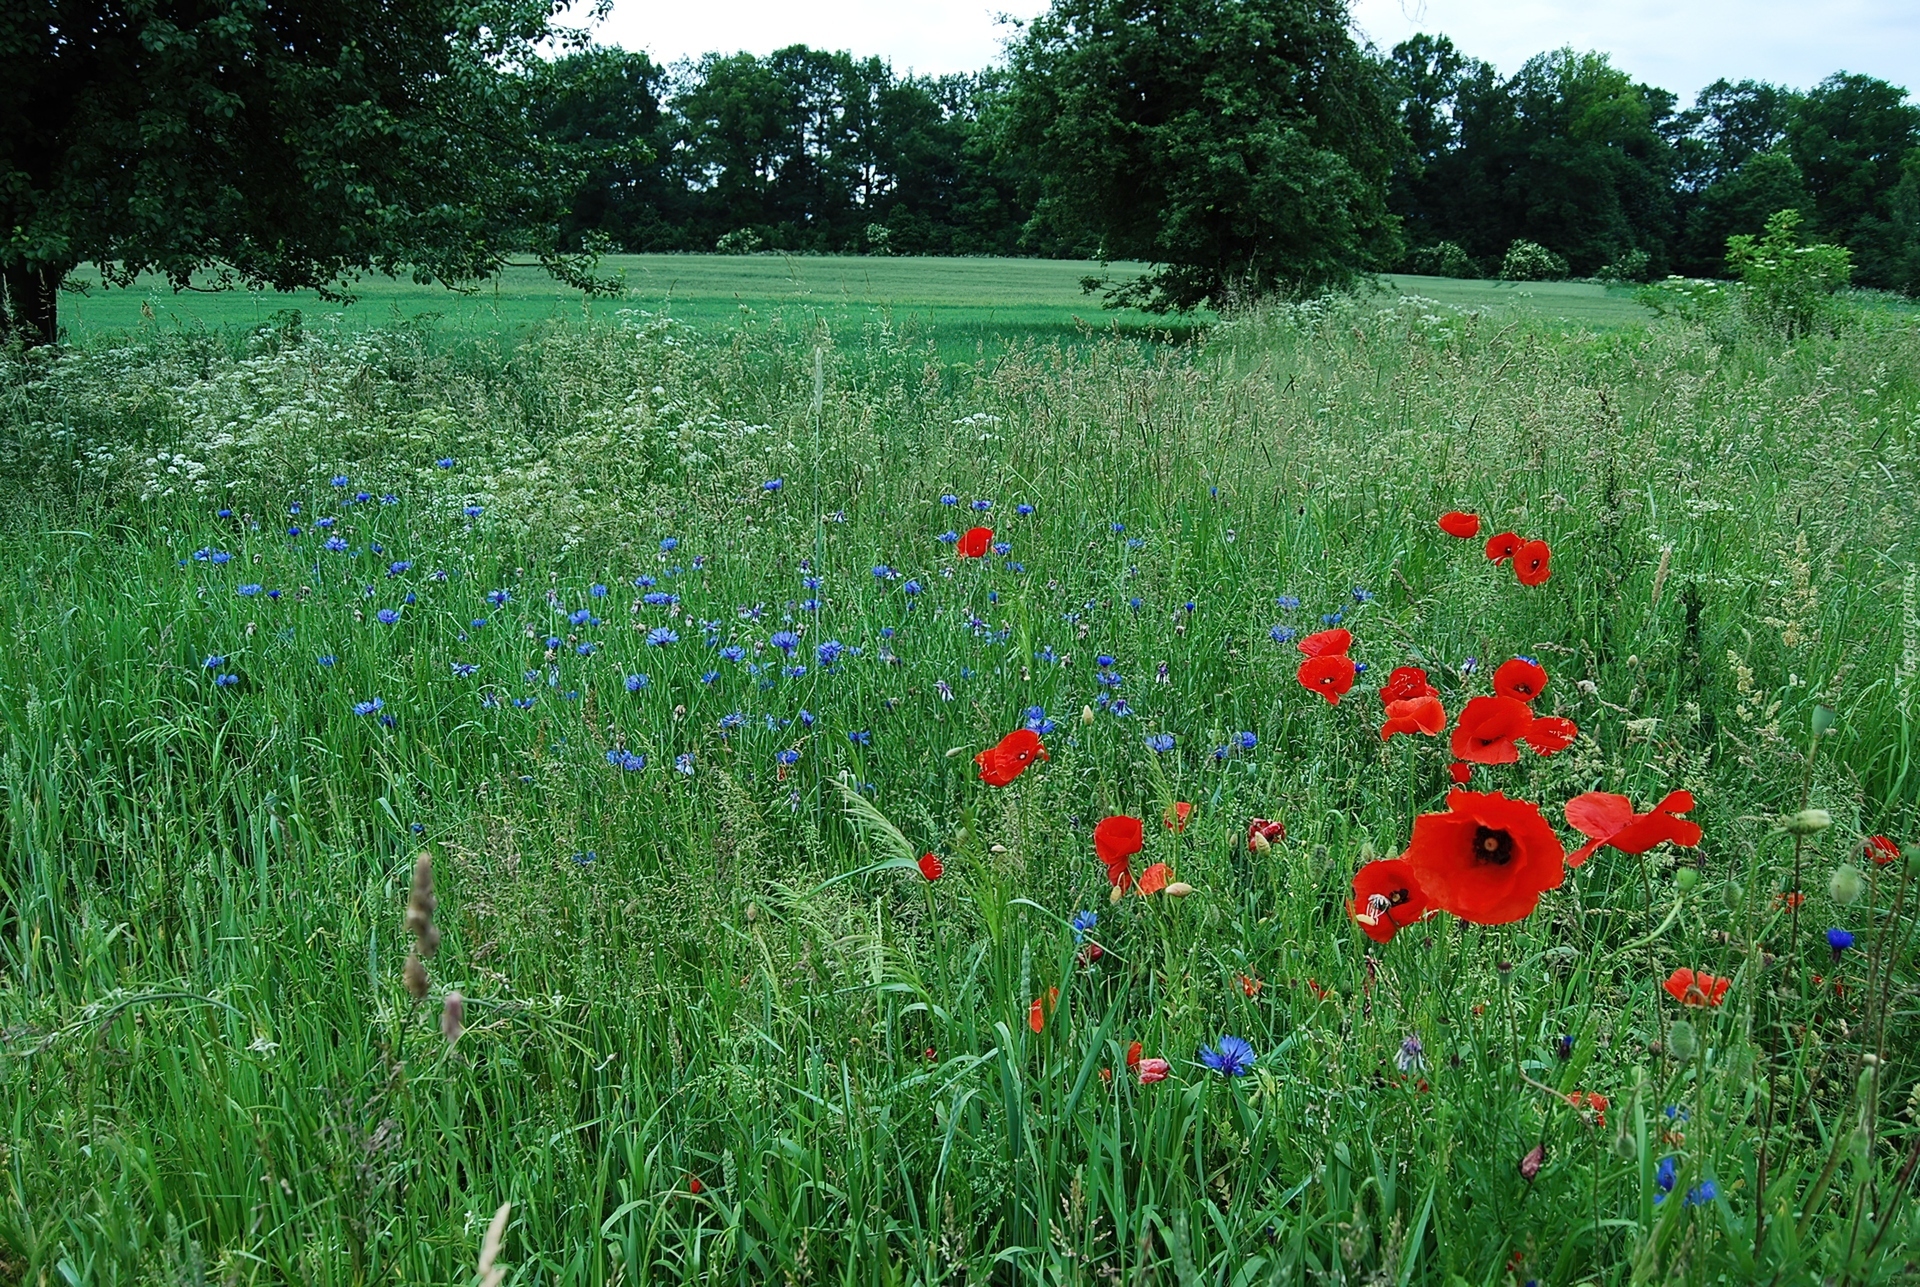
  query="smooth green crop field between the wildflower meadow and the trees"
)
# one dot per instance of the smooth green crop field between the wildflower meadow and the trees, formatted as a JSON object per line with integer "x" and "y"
{"x": 963, "y": 303}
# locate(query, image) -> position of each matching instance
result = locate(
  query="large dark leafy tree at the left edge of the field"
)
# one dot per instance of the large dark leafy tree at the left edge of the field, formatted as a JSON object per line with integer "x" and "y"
{"x": 283, "y": 143}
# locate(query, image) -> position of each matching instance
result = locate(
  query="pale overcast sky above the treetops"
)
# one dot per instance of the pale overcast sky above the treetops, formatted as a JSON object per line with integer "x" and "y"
{"x": 1679, "y": 45}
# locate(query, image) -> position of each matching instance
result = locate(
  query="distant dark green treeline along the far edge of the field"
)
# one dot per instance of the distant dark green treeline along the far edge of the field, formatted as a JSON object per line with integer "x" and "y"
{"x": 813, "y": 151}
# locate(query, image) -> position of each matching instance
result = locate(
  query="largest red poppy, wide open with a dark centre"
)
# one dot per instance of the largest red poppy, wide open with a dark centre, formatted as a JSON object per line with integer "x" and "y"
{"x": 1487, "y": 860}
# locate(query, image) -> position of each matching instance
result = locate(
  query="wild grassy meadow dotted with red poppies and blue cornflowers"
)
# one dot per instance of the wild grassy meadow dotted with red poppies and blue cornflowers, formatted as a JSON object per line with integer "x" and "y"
{"x": 673, "y": 648}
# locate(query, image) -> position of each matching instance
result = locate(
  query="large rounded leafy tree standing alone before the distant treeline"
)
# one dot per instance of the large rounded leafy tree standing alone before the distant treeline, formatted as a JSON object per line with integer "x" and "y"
{"x": 1237, "y": 145}
